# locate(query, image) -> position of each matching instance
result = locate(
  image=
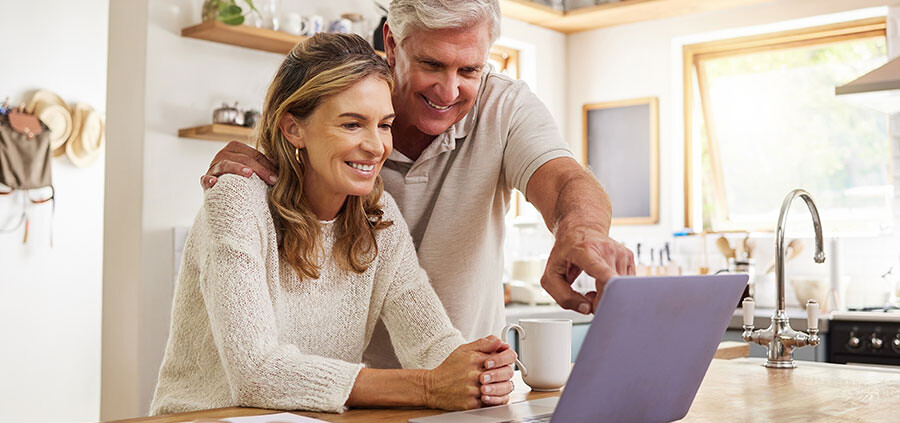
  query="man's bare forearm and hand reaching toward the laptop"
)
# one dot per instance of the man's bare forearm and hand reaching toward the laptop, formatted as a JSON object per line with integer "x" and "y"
{"x": 578, "y": 212}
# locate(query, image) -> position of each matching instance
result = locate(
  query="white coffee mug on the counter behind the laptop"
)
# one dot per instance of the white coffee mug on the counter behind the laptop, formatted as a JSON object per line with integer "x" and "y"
{"x": 545, "y": 351}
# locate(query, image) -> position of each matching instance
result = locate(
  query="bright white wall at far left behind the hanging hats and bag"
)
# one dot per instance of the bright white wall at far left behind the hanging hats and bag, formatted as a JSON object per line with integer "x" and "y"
{"x": 50, "y": 297}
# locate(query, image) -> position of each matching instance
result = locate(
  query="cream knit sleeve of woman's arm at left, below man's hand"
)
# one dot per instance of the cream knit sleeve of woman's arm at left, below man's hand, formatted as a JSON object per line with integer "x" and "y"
{"x": 261, "y": 371}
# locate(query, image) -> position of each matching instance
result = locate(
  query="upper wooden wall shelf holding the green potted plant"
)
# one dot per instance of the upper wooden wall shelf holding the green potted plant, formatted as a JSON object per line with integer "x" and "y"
{"x": 244, "y": 36}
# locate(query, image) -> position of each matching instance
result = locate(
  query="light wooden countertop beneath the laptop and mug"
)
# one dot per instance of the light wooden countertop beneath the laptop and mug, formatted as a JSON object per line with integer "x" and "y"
{"x": 737, "y": 390}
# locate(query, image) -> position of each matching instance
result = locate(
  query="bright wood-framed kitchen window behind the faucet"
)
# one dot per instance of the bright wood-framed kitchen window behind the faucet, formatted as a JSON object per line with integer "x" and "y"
{"x": 761, "y": 118}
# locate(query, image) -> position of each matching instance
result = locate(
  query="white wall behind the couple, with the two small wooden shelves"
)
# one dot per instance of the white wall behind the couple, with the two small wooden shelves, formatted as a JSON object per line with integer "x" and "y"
{"x": 174, "y": 82}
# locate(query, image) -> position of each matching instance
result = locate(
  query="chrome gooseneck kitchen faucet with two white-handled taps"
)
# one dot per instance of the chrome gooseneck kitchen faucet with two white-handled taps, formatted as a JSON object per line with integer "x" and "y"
{"x": 779, "y": 337}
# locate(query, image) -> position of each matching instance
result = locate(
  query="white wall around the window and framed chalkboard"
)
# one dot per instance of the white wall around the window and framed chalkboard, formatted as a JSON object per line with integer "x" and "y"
{"x": 645, "y": 59}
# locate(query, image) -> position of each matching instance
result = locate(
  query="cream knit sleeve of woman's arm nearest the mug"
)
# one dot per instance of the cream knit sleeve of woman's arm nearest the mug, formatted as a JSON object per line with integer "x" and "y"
{"x": 420, "y": 330}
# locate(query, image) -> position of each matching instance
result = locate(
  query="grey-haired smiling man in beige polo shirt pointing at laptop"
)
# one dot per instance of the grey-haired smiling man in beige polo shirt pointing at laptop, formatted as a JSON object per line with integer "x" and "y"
{"x": 463, "y": 138}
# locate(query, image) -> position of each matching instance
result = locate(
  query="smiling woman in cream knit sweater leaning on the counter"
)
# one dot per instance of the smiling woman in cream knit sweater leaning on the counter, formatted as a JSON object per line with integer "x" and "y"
{"x": 281, "y": 288}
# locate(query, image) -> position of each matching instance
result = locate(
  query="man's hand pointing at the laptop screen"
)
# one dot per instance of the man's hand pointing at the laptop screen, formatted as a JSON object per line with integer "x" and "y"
{"x": 583, "y": 248}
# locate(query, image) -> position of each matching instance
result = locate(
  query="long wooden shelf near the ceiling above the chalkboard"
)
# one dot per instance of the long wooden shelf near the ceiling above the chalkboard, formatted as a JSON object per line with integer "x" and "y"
{"x": 611, "y": 14}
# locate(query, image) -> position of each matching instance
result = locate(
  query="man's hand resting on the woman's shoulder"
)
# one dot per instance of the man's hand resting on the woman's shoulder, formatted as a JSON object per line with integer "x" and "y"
{"x": 239, "y": 159}
